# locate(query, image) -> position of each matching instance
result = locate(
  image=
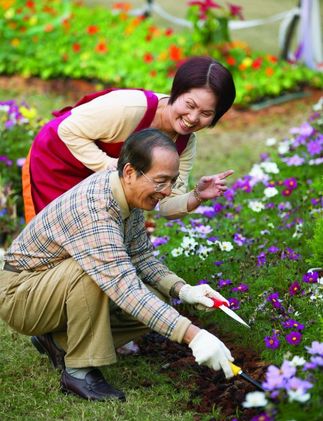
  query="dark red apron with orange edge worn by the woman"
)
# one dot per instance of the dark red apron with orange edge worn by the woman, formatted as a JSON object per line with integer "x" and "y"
{"x": 51, "y": 169}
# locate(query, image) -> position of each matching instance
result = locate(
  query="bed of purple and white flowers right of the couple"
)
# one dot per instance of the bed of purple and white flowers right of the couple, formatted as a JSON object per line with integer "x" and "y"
{"x": 256, "y": 246}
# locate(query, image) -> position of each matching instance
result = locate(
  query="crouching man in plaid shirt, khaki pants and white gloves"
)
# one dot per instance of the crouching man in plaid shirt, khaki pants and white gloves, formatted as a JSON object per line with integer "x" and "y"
{"x": 82, "y": 279}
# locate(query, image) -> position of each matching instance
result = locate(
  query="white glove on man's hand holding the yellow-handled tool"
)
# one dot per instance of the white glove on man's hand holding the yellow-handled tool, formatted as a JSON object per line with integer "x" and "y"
{"x": 210, "y": 351}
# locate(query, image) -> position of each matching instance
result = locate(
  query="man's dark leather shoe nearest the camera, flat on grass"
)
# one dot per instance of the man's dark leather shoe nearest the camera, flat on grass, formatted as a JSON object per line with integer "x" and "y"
{"x": 94, "y": 387}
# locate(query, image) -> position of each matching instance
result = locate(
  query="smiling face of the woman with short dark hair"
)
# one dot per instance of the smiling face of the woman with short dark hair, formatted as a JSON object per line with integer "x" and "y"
{"x": 192, "y": 111}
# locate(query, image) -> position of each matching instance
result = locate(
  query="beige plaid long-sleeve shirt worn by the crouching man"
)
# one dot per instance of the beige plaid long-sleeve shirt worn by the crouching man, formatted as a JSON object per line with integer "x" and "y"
{"x": 111, "y": 245}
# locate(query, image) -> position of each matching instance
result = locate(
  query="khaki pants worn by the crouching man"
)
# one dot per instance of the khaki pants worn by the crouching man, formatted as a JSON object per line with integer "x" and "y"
{"x": 67, "y": 302}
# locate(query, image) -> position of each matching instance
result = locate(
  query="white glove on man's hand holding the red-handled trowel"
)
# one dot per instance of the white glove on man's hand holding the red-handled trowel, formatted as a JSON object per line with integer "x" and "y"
{"x": 199, "y": 295}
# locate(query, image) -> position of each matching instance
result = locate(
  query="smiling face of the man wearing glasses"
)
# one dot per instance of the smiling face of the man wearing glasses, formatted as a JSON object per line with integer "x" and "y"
{"x": 142, "y": 192}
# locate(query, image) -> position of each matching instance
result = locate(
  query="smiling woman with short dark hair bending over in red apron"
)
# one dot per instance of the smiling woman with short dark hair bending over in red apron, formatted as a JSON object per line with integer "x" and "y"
{"x": 88, "y": 137}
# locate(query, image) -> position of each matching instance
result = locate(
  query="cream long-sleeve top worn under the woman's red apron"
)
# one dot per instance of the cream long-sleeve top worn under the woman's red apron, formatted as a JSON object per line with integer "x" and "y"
{"x": 111, "y": 118}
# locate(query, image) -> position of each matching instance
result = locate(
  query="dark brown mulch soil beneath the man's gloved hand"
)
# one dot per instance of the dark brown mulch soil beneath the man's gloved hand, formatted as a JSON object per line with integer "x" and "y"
{"x": 208, "y": 389}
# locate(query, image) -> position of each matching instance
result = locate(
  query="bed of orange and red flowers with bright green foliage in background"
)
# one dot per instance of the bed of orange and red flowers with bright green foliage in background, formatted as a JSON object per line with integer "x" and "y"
{"x": 64, "y": 40}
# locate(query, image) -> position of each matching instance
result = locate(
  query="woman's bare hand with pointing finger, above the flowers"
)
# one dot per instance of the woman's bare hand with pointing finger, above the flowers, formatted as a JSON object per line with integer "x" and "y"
{"x": 212, "y": 186}
